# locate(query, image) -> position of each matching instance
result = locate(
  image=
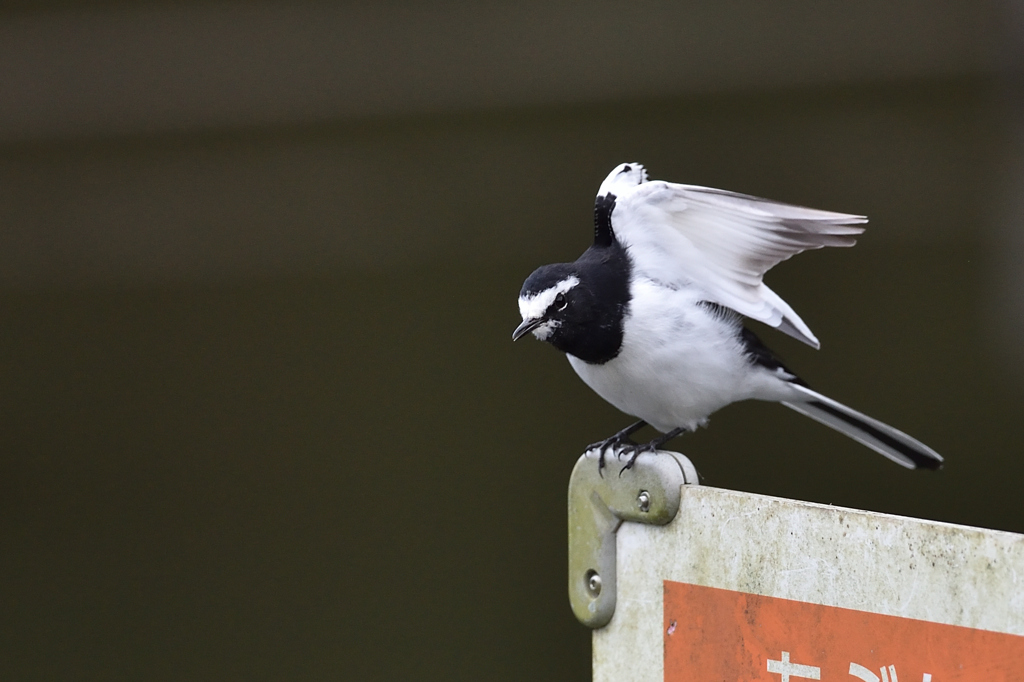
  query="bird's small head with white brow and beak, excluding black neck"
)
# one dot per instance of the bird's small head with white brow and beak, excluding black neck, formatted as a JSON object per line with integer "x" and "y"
{"x": 549, "y": 303}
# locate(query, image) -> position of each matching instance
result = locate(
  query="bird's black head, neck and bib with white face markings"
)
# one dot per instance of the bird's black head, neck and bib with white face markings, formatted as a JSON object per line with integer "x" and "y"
{"x": 579, "y": 308}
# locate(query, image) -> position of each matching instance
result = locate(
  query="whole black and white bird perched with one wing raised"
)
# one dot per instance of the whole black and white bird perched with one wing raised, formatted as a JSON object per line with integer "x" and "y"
{"x": 651, "y": 315}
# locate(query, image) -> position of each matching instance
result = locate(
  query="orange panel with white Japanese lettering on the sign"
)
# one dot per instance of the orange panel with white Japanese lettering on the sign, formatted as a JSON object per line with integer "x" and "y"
{"x": 716, "y": 635}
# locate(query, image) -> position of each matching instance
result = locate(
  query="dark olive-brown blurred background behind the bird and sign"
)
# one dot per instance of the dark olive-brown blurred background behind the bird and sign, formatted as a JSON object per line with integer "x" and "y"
{"x": 262, "y": 416}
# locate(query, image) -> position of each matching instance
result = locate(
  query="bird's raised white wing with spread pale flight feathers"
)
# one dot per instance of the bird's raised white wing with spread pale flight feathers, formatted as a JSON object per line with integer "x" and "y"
{"x": 723, "y": 242}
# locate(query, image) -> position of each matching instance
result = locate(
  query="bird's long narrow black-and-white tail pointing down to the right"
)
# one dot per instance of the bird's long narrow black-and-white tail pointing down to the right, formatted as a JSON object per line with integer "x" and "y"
{"x": 883, "y": 439}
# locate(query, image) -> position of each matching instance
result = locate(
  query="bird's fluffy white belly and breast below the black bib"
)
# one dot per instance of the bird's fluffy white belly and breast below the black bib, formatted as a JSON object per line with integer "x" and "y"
{"x": 679, "y": 363}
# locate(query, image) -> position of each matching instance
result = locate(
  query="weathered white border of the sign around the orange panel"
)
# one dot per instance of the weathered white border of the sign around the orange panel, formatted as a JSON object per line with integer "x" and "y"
{"x": 807, "y": 552}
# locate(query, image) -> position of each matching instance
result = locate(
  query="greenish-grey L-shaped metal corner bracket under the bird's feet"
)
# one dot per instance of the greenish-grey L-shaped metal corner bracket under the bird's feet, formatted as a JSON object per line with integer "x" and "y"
{"x": 649, "y": 493}
